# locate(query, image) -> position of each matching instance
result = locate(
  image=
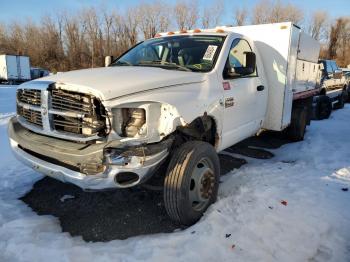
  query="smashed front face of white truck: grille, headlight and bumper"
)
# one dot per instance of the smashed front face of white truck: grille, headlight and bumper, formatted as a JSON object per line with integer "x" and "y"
{"x": 72, "y": 137}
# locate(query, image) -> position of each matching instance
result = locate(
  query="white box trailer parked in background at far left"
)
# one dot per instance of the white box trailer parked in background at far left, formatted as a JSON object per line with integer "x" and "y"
{"x": 14, "y": 69}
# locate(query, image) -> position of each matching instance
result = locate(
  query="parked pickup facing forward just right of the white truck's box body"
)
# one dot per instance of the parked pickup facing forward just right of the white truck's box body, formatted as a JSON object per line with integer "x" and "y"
{"x": 333, "y": 89}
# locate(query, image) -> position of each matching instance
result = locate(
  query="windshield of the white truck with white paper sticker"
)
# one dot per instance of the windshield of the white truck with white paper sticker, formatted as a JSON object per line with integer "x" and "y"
{"x": 187, "y": 53}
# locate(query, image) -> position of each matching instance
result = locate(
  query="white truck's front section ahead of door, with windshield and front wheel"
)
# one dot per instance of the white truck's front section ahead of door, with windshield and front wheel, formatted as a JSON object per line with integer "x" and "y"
{"x": 113, "y": 127}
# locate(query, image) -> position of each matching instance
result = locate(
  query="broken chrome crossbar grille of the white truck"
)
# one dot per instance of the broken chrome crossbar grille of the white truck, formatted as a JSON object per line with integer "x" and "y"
{"x": 66, "y": 114}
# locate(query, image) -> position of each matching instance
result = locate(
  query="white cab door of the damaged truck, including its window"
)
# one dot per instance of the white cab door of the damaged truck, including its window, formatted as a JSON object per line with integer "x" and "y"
{"x": 245, "y": 97}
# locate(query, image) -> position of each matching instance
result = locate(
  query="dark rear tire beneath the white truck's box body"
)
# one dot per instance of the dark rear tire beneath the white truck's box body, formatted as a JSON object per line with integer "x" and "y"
{"x": 296, "y": 130}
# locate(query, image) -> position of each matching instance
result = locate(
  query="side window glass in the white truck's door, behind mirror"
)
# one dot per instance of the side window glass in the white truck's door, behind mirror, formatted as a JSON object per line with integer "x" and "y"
{"x": 237, "y": 56}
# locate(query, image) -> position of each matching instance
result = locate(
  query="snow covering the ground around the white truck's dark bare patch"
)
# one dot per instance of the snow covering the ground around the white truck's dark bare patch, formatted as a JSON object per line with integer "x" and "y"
{"x": 248, "y": 222}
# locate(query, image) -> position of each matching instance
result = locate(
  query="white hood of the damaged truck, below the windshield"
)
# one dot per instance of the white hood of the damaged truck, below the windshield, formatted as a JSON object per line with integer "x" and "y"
{"x": 117, "y": 81}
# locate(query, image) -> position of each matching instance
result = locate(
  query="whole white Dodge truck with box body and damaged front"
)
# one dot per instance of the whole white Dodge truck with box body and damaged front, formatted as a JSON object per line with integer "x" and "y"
{"x": 178, "y": 99}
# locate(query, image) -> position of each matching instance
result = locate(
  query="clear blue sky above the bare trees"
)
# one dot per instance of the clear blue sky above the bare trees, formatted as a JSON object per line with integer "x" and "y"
{"x": 20, "y": 10}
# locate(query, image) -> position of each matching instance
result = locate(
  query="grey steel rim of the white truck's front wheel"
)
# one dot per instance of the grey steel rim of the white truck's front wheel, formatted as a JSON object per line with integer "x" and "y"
{"x": 202, "y": 184}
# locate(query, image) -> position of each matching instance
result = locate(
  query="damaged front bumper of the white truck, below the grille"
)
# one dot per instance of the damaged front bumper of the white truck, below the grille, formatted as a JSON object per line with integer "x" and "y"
{"x": 64, "y": 160}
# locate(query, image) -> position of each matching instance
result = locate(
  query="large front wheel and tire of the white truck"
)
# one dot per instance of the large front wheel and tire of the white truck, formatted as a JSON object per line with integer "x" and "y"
{"x": 191, "y": 162}
